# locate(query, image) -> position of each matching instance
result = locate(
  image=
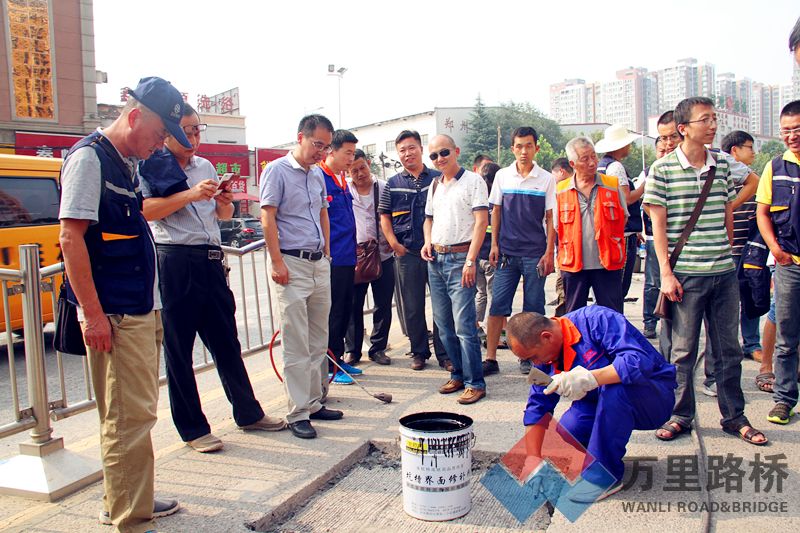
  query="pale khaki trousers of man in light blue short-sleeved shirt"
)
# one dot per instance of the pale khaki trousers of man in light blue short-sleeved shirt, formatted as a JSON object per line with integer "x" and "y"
{"x": 304, "y": 305}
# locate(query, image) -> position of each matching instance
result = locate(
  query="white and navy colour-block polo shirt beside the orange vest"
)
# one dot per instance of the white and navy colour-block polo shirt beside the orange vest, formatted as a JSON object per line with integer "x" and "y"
{"x": 523, "y": 201}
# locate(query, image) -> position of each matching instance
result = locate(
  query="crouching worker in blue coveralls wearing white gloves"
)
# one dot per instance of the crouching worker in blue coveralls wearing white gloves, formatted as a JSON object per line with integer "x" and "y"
{"x": 616, "y": 380}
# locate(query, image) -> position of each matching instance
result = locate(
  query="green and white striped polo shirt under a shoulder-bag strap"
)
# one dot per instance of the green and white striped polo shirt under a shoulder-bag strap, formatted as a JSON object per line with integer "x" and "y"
{"x": 674, "y": 184}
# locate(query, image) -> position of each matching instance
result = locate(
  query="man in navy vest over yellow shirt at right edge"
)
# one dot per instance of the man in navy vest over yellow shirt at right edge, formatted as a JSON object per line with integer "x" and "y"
{"x": 778, "y": 216}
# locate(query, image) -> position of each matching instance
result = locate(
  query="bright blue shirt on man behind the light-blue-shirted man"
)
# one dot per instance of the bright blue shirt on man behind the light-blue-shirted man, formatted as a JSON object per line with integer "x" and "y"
{"x": 342, "y": 222}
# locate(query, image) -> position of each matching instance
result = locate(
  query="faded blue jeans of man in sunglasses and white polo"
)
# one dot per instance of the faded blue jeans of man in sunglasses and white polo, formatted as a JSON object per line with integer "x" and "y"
{"x": 454, "y": 313}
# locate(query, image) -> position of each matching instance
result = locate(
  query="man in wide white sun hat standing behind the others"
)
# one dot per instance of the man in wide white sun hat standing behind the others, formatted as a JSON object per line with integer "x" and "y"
{"x": 616, "y": 144}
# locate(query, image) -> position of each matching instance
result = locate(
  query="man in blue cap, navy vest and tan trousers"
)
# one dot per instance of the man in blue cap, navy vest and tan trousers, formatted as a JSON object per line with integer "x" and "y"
{"x": 110, "y": 259}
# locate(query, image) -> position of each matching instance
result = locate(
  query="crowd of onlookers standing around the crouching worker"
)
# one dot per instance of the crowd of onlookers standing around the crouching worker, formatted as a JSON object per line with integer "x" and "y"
{"x": 141, "y": 246}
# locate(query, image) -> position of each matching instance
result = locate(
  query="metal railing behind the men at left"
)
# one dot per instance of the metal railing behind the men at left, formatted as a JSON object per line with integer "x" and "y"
{"x": 252, "y": 293}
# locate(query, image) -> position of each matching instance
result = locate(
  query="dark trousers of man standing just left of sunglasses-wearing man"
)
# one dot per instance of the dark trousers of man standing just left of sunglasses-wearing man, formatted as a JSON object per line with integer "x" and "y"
{"x": 412, "y": 272}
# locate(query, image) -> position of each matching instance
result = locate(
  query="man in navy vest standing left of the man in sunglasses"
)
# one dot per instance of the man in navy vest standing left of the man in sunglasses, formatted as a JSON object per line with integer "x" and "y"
{"x": 402, "y": 209}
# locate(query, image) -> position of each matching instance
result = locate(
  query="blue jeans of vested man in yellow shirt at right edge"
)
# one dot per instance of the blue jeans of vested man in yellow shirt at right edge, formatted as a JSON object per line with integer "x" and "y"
{"x": 787, "y": 309}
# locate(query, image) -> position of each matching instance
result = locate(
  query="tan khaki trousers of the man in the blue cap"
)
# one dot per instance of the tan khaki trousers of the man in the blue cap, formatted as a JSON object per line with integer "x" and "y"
{"x": 125, "y": 384}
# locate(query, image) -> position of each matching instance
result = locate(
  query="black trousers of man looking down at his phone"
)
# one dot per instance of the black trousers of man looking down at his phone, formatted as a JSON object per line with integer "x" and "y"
{"x": 197, "y": 300}
